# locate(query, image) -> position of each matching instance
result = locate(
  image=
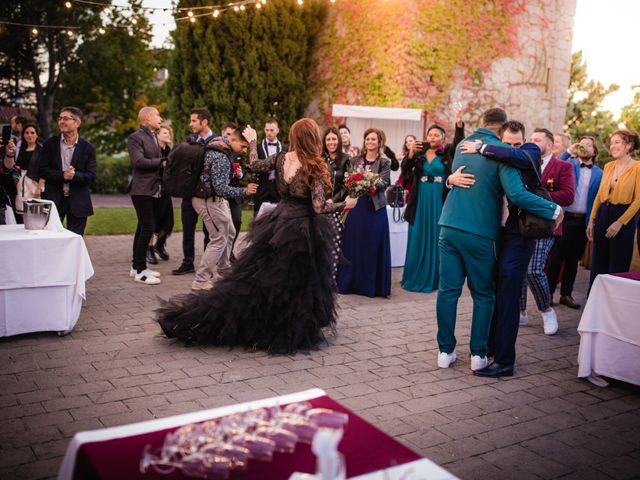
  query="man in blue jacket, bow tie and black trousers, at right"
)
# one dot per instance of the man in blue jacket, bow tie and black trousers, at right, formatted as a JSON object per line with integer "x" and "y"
{"x": 571, "y": 246}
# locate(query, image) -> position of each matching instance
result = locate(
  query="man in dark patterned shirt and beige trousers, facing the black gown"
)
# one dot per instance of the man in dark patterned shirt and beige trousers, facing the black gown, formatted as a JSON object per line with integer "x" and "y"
{"x": 211, "y": 202}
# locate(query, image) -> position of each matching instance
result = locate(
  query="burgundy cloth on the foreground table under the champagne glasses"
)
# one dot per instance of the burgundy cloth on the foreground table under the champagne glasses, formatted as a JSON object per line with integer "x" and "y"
{"x": 365, "y": 447}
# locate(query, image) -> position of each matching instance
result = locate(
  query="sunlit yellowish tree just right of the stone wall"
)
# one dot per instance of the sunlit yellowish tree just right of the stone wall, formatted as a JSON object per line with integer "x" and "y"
{"x": 585, "y": 115}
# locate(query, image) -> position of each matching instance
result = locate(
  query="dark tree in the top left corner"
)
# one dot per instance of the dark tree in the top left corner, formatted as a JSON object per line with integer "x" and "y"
{"x": 34, "y": 61}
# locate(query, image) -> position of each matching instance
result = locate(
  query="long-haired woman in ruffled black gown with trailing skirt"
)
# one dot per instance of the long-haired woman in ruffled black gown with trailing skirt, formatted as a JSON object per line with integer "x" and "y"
{"x": 279, "y": 295}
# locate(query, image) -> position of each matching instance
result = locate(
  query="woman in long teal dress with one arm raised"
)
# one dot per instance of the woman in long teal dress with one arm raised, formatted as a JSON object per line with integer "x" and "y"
{"x": 427, "y": 170}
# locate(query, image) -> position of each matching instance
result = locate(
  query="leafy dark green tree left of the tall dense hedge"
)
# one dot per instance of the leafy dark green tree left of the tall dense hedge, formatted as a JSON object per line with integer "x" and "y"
{"x": 112, "y": 77}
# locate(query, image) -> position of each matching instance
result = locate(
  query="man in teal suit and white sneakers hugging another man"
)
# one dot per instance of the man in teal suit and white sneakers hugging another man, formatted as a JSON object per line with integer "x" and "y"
{"x": 470, "y": 228}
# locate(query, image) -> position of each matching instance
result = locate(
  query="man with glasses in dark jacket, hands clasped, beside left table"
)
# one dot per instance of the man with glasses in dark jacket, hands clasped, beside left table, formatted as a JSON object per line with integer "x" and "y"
{"x": 68, "y": 165}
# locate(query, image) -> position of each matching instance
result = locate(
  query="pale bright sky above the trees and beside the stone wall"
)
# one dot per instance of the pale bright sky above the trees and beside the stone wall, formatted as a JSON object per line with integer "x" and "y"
{"x": 605, "y": 31}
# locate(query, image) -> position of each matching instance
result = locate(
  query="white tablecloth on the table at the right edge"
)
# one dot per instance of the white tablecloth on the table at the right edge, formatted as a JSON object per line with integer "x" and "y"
{"x": 610, "y": 330}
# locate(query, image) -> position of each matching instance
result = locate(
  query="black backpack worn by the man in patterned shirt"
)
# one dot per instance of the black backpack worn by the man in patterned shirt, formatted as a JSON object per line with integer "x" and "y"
{"x": 184, "y": 166}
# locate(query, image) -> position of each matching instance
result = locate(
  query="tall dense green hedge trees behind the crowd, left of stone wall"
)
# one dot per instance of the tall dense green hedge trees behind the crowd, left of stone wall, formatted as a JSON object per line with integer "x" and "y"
{"x": 245, "y": 66}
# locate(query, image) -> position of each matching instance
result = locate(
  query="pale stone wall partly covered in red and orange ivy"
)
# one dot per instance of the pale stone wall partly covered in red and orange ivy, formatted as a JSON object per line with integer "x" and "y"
{"x": 528, "y": 74}
